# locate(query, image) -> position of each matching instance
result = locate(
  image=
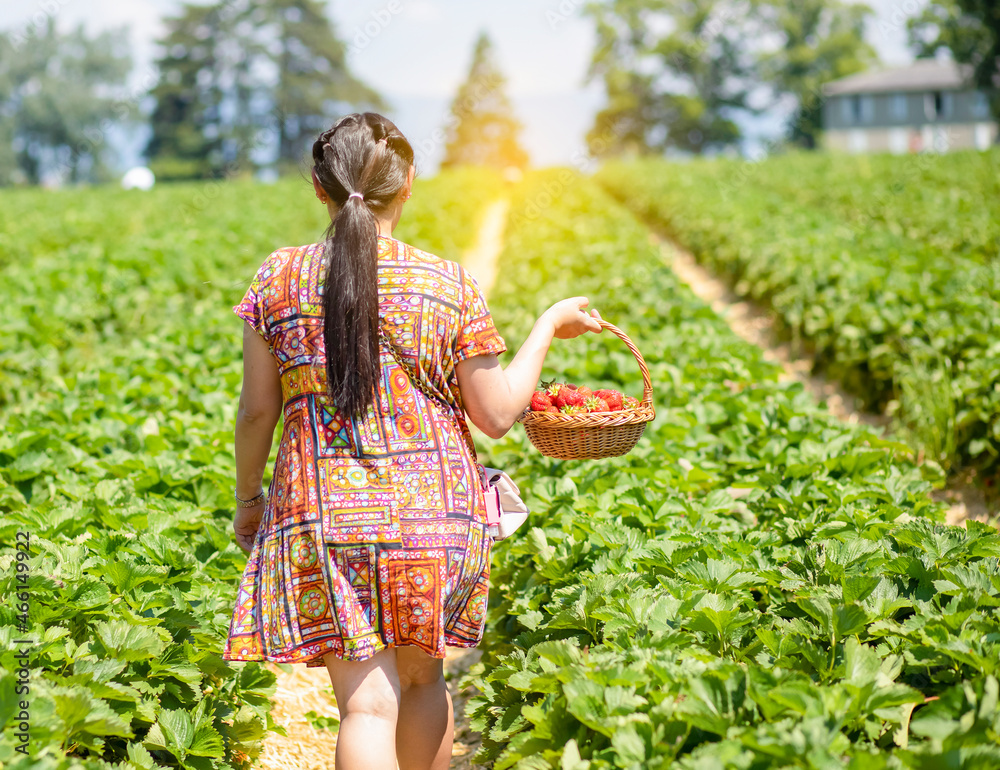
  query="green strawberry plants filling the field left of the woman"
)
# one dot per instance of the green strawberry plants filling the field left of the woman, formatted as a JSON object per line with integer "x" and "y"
{"x": 119, "y": 372}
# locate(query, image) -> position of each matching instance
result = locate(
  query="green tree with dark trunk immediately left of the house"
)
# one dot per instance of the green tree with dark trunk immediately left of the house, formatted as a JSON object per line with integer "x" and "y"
{"x": 820, "y": 40}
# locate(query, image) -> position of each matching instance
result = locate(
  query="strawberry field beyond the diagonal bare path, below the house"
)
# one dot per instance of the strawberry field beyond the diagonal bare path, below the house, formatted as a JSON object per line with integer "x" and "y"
{"x": 886, "y": 270}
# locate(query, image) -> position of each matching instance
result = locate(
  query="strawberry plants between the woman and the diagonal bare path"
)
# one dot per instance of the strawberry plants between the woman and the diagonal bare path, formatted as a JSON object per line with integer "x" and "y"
{"x": 755, "y": 585}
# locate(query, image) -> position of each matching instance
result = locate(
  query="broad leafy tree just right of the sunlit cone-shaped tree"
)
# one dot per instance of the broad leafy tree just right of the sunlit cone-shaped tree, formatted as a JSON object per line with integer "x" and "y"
{"x": 677, "y": 73}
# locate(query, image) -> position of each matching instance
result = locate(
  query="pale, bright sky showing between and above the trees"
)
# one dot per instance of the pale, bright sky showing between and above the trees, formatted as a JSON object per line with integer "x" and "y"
{"x": 417, "y": 52}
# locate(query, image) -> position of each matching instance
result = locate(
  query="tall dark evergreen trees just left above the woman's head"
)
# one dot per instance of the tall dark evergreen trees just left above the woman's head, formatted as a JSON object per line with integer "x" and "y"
{"x": 246, "y": 80}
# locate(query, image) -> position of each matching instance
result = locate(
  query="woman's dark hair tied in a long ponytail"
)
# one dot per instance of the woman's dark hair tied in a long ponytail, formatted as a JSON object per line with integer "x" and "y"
{"x": 362, "y": 163}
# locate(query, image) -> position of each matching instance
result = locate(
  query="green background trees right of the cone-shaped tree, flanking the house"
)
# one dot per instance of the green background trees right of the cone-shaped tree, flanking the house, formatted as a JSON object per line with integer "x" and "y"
{"x": 679, "y": 74}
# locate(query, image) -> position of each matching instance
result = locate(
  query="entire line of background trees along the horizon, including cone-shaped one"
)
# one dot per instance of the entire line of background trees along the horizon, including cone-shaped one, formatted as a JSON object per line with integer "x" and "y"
{"x": 244, "y": 83}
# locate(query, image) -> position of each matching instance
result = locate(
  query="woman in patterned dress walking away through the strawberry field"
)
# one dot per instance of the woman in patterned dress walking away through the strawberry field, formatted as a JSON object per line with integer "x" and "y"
{"x": 369, "y": 554}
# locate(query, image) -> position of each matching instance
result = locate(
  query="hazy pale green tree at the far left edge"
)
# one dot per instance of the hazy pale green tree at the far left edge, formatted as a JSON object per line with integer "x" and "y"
{"x": 57, "y": 102}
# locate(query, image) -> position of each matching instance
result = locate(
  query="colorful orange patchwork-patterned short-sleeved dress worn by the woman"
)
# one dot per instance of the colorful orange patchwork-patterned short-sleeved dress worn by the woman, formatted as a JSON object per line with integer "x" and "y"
{"x": 374, "y": 531}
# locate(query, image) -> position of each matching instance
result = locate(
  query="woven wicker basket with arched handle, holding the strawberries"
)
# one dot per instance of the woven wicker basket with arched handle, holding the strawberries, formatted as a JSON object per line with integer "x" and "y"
{"x": 598, "y": 434}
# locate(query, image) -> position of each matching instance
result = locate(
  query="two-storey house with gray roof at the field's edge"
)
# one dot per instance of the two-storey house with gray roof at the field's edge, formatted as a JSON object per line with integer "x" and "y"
{"x": 928, "y": 105}
